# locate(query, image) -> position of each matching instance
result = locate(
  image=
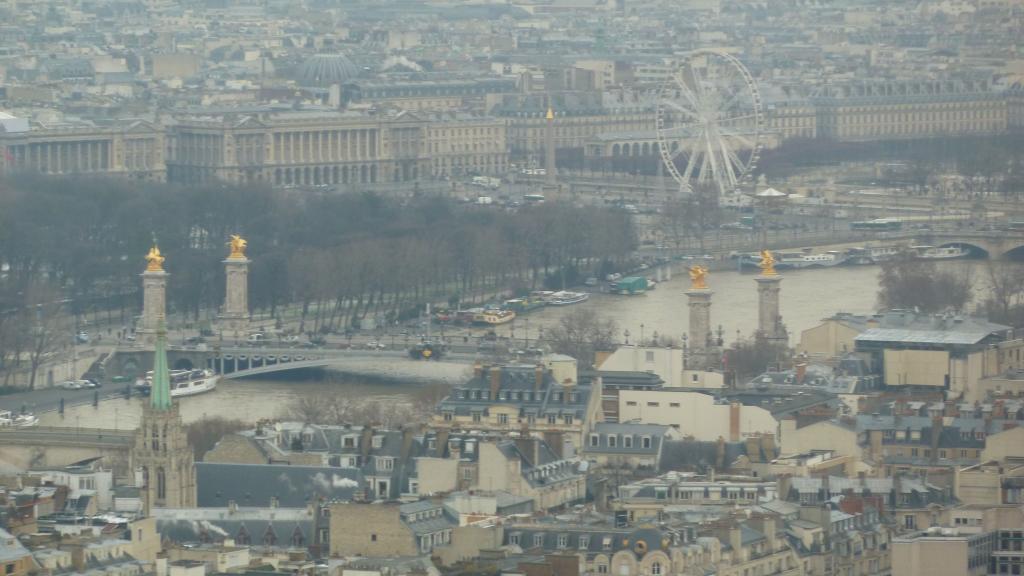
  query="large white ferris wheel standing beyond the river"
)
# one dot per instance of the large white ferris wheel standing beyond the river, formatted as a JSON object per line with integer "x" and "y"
{"x": 710, "y": 122}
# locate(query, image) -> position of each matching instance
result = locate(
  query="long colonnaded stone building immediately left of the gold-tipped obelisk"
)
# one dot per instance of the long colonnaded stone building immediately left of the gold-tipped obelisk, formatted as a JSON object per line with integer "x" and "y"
{"x": 326, "y": 148}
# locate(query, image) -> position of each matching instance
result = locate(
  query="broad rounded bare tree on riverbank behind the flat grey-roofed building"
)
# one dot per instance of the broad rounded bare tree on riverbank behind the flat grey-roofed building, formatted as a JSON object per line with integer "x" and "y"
{"x": 911, "y": 283}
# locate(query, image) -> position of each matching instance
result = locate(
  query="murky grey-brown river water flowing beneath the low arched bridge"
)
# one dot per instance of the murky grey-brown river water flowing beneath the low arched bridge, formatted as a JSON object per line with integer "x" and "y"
{"x": 806, "y": 298}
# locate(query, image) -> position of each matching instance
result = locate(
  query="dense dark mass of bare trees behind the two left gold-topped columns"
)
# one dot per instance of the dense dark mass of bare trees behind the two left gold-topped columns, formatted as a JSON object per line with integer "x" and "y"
{"x": 76, "y": 245}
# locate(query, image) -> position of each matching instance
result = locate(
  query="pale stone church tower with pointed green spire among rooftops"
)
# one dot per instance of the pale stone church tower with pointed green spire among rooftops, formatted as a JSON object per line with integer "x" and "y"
{"x": 162, "y": 449}
